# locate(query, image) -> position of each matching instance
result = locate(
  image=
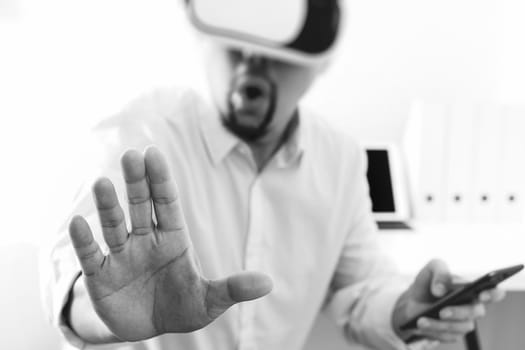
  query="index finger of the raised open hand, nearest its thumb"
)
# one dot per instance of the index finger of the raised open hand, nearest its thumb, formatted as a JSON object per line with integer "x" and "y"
{"x": 164, "y": 192}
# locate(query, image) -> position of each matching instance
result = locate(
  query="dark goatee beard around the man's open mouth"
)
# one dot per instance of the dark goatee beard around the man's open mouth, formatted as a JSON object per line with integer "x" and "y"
{"x": 251, "y": 104}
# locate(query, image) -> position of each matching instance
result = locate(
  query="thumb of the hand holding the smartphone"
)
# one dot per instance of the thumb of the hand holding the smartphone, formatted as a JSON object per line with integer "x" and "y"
{"x": 432, "y": 281}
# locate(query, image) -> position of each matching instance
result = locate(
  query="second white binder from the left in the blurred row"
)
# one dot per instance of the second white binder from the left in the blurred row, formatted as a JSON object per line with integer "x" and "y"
{"x": 459, "y": 162}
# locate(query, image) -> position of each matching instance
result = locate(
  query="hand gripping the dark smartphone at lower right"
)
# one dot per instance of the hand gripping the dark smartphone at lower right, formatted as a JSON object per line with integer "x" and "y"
{"x": 432, "y": 283}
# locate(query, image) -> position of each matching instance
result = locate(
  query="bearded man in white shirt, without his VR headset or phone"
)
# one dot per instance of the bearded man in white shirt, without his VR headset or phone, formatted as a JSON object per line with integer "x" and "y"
{"x": 261, "y": 187}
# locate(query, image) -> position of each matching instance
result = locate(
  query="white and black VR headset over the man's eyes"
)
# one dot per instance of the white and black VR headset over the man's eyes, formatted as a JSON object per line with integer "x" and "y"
{"x": 298, "y": 31}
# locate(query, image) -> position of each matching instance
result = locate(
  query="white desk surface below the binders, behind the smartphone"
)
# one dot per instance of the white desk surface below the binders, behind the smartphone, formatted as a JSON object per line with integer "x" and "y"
{"x": 470, "y": 250}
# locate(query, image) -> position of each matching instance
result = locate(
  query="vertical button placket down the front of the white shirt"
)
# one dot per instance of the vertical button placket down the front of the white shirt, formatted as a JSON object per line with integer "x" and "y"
{"x": 252, "y": 262}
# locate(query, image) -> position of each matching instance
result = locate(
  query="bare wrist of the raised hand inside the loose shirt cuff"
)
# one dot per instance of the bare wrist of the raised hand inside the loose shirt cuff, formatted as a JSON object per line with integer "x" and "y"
{"x": 83, "y": 319}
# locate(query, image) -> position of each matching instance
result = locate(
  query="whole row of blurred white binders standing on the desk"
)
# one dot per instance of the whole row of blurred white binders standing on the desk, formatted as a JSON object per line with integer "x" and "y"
{"x": 466, "y": 162}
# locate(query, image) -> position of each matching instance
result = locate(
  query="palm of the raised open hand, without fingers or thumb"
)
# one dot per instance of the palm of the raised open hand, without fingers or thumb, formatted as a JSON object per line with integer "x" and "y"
{"x": 134, "y": 288}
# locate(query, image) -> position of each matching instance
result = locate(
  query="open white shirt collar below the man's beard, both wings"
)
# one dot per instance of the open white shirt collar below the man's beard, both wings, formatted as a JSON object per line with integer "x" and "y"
{"x": 220, "y": 142}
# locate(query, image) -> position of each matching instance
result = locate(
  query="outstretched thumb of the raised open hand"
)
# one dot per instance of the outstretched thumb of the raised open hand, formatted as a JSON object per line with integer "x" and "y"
{"x": 237, "y": 288}
